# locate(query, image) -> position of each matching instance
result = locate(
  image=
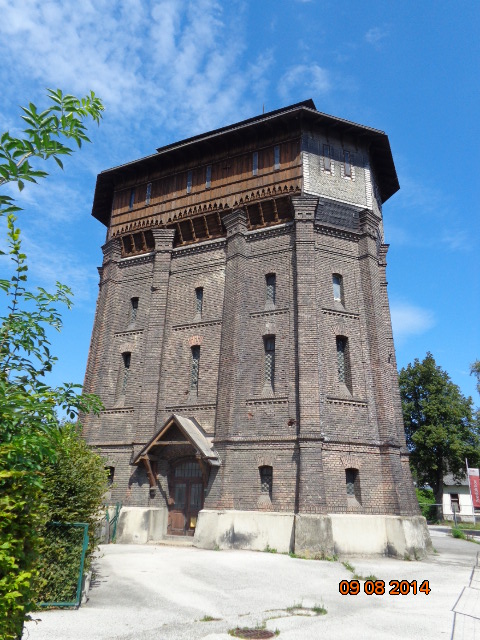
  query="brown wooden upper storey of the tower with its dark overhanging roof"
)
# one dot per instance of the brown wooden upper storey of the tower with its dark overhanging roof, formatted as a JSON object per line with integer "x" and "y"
{"x": 255, "y": 164}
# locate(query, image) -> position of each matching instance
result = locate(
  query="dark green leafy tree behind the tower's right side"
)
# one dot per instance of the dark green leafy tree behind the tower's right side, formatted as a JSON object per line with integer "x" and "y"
{"x": 439, "y": 426}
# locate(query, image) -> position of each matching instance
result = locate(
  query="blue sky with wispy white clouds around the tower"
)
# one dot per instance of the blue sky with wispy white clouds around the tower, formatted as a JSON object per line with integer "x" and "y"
{"x": 171, "y": 69}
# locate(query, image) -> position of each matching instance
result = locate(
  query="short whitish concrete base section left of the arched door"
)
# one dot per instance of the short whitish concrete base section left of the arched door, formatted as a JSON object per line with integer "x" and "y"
{"x": 139, "y": 525}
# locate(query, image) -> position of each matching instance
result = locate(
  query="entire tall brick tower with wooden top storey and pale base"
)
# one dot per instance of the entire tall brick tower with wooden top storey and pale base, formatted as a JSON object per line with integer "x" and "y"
{"x": 242, "y": 343}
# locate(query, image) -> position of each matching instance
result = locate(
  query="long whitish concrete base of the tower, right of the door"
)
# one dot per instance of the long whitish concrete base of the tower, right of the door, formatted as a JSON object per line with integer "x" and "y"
{"x": 311, "y": 535}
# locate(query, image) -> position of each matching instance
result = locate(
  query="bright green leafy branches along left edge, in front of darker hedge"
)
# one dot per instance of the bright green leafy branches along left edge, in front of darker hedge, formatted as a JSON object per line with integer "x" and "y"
{"x": 28, "y": 418}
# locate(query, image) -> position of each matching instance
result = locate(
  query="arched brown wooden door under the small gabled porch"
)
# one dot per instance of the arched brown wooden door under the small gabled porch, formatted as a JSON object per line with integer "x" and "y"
{"x": 187, "y": 491}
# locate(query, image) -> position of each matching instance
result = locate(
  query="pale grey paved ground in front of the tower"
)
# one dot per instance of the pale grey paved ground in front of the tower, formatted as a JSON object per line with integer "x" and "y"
{"x": 162, "y": 593}
